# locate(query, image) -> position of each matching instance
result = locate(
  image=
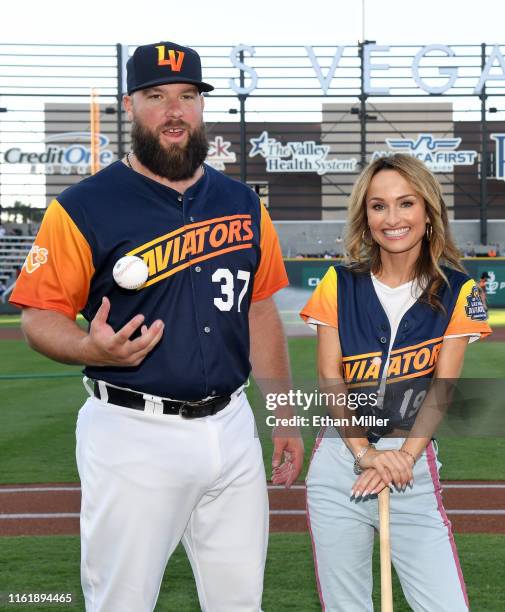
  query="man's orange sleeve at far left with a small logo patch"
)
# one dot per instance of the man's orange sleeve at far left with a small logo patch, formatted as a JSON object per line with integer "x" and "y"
{"x": 58, "y": 269}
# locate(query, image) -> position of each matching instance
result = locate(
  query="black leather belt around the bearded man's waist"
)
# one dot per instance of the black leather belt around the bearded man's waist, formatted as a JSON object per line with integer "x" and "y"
{"x": 141, "y": 401}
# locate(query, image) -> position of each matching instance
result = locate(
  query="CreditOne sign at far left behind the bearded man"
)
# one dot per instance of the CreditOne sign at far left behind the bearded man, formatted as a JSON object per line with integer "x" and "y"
{"x": 65, "y": 153}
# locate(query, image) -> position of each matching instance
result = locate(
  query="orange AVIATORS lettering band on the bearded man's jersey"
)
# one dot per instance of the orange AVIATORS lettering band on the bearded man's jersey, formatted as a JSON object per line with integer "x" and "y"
{"x": 194, "y": 243}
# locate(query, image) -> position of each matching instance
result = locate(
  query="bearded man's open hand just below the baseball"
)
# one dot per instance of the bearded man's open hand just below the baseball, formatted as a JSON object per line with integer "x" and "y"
{"x": 102, "y": 346}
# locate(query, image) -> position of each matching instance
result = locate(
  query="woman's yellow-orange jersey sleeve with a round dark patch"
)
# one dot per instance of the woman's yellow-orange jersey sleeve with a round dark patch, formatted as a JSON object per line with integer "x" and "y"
{"x": 469, "y": 315}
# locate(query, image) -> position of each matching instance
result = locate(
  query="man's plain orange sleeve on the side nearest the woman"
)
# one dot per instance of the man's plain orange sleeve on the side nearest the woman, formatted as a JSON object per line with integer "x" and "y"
{"x": 271, "y": 273}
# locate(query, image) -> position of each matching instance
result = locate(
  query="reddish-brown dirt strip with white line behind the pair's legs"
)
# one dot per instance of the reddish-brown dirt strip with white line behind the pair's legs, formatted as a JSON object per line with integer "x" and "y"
{"x": 472, "y": 507}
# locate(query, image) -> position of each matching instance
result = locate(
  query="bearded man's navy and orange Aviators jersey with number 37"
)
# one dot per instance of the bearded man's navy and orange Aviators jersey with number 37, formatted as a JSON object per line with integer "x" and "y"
{"x": 210, "y": 253}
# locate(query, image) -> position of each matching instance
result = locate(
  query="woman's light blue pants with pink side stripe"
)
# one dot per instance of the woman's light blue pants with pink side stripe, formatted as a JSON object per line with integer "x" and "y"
{"x": 342, "y": 529}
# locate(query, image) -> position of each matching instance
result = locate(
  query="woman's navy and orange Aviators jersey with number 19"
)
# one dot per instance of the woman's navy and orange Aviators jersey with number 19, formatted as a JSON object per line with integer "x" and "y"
{"x": 347, "y": 301}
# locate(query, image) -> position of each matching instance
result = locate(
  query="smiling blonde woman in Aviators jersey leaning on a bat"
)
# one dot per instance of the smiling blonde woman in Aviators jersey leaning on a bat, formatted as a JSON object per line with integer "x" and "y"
{"x": 393, "y": 324}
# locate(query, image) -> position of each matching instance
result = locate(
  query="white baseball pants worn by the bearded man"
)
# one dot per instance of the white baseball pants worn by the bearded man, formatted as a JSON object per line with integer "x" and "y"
{"x": 148, "y": 482}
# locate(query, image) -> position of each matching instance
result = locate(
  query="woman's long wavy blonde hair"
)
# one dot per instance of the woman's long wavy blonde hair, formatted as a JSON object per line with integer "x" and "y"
{"x": 437, "y": 247}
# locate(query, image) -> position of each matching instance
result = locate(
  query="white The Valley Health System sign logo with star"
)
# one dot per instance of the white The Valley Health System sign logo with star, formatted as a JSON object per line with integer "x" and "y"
{"x": 297, "y": 156}
